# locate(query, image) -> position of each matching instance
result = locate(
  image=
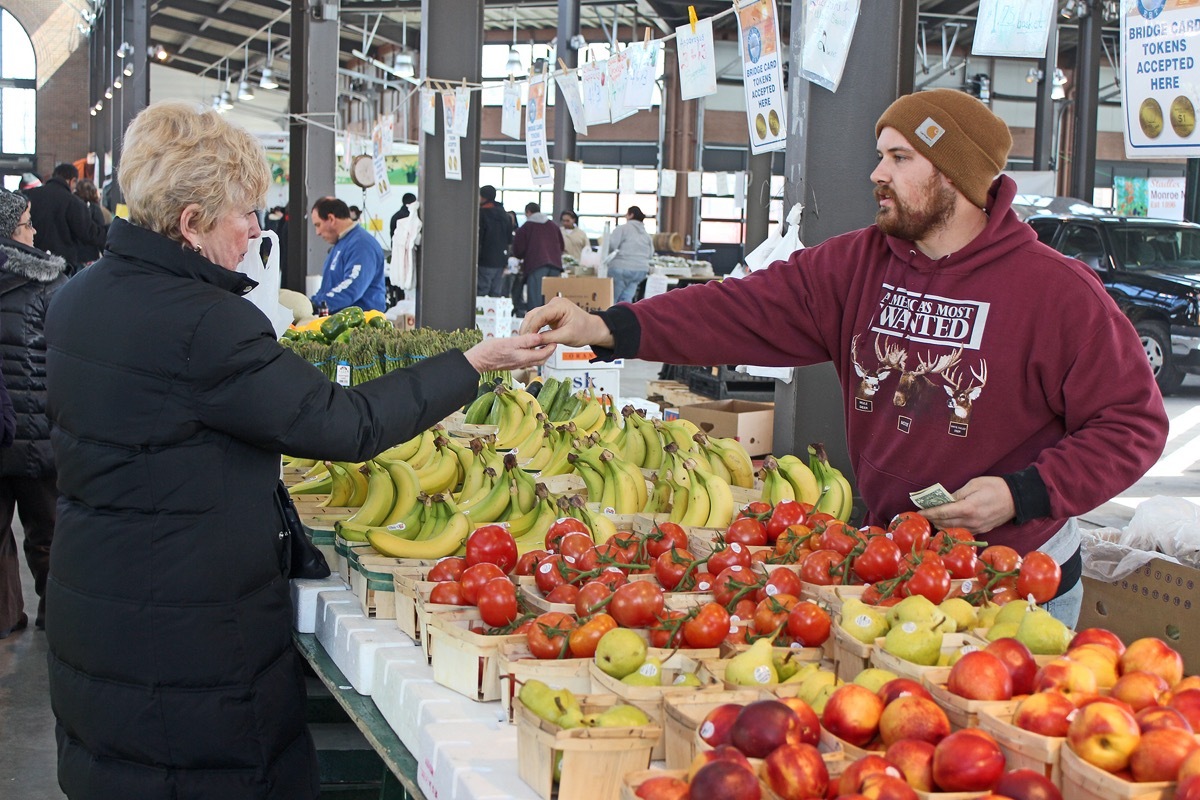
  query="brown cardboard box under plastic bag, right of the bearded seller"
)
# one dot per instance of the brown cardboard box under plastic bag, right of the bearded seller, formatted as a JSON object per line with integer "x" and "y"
{"x": 1161, "y": 599}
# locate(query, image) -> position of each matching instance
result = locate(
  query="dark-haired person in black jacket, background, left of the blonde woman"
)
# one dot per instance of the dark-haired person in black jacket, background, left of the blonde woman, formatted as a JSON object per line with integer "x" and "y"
{"x": 63, "y": 221}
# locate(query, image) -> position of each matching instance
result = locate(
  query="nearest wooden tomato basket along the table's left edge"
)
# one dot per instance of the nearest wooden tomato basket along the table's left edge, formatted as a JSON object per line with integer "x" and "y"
{"x": 465, "y": 661}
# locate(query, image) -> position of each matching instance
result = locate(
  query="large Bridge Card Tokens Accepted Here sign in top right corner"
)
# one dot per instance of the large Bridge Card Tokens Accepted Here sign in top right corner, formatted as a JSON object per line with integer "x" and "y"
{"x": 1160, "y": 80}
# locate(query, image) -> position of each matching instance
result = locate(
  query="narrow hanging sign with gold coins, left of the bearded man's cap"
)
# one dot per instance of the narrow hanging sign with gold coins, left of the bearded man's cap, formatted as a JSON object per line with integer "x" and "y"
{"x": 764, "y": 77}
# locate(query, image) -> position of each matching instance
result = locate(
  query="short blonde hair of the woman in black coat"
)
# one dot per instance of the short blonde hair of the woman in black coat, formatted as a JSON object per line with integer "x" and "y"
{"x": 177, "y": 154}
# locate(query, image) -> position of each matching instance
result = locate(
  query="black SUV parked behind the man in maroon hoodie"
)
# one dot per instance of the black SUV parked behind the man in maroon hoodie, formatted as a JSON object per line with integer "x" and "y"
{"x": 1153, "y": 269}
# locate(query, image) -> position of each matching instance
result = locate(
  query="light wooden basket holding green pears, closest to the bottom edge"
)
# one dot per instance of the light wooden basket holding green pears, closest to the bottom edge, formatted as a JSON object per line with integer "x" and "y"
{"x": 595, "y": 761}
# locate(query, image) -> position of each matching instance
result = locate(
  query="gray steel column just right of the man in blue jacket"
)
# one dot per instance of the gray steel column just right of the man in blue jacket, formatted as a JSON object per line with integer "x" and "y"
{"x": 452, "y": 51}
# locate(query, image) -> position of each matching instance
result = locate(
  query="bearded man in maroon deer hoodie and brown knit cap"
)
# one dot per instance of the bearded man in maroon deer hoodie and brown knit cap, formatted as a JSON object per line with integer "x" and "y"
{"x": 969, "y": 353}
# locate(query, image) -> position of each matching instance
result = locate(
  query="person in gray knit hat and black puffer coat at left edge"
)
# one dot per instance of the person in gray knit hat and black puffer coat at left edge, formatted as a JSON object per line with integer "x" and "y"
{"x": 29, "y": 279}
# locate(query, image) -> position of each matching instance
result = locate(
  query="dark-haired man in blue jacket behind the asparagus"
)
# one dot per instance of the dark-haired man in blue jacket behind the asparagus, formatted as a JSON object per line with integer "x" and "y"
{"x": 355, "y": 269}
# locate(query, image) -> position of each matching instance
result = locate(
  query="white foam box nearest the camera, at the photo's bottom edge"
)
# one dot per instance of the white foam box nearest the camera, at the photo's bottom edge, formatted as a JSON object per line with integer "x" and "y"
{"x": 488, "y": 751}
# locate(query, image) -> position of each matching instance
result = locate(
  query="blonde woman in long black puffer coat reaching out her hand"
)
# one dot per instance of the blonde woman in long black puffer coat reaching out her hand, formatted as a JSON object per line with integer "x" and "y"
{"x": 172, "y": 667}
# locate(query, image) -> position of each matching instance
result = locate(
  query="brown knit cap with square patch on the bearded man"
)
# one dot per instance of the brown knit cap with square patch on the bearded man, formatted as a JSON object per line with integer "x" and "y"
{"x": 958, "y": 134}
